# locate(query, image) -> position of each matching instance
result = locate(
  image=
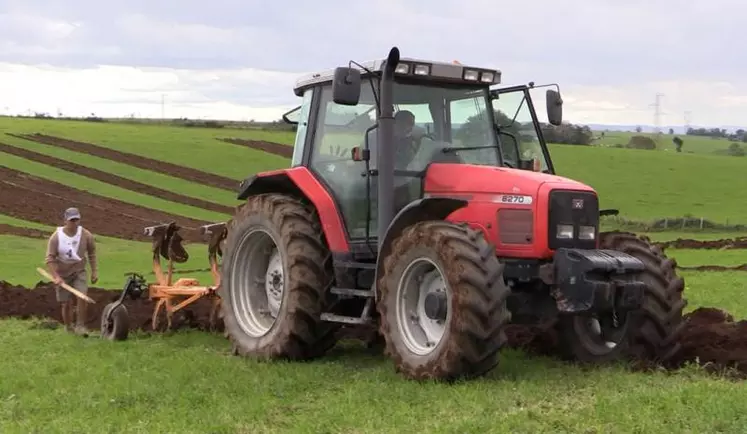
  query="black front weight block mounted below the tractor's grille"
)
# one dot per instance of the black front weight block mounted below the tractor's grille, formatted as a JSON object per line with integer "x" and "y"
{"x": 590, "y": 281}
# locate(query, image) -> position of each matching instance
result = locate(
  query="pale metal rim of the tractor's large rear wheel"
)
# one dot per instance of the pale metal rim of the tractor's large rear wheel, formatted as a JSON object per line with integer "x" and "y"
{"x": 257, "y": 282}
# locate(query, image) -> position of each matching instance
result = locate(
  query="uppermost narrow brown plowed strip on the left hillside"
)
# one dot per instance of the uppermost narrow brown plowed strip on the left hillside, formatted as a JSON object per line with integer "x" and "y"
{"x": 186, "y": 173}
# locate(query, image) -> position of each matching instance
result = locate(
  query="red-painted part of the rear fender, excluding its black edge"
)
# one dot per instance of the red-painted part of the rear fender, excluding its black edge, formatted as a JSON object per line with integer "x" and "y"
{"x": 332, "y": 223}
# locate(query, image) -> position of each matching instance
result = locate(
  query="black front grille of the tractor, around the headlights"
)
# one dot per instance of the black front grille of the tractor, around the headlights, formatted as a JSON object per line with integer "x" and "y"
{"x": 572, "y": 208}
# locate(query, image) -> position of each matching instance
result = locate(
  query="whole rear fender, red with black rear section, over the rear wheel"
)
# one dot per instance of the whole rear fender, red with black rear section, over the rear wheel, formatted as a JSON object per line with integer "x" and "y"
{"x": 300, "y": 182}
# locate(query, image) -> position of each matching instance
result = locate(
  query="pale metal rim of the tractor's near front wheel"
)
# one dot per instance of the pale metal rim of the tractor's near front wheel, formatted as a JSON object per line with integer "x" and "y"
{"x": 420, "y": 333}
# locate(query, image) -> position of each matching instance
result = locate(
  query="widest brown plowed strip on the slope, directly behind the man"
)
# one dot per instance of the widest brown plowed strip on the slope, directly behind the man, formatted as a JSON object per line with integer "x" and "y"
{"x": 42, "y": 201}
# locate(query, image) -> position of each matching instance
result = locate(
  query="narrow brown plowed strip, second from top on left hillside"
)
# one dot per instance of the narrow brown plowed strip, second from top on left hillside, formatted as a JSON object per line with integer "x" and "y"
{"x": 114, "y": 179}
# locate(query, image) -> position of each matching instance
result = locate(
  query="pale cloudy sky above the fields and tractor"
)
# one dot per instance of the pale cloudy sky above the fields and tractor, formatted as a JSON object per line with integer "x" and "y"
{"x": 239, "y": 59}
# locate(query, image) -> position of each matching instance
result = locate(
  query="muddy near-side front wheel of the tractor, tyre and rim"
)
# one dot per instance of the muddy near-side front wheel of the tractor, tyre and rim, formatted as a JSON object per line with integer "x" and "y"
{"x": 442, "y": 302}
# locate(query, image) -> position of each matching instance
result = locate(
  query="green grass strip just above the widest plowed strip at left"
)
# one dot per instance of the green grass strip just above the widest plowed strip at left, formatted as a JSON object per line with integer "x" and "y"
{"x": 95, "y": 187}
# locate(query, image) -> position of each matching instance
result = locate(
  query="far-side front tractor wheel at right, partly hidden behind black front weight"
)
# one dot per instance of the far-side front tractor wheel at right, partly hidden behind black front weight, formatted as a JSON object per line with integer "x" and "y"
{"x": 649, "y": 333}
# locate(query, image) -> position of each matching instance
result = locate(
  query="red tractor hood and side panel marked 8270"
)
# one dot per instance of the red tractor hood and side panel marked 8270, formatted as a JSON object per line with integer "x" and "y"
{"x": 481, "y": 185}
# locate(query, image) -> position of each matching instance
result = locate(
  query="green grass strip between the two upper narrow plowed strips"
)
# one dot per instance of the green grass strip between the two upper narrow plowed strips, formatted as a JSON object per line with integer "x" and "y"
{"x": 147, "y": 177}
